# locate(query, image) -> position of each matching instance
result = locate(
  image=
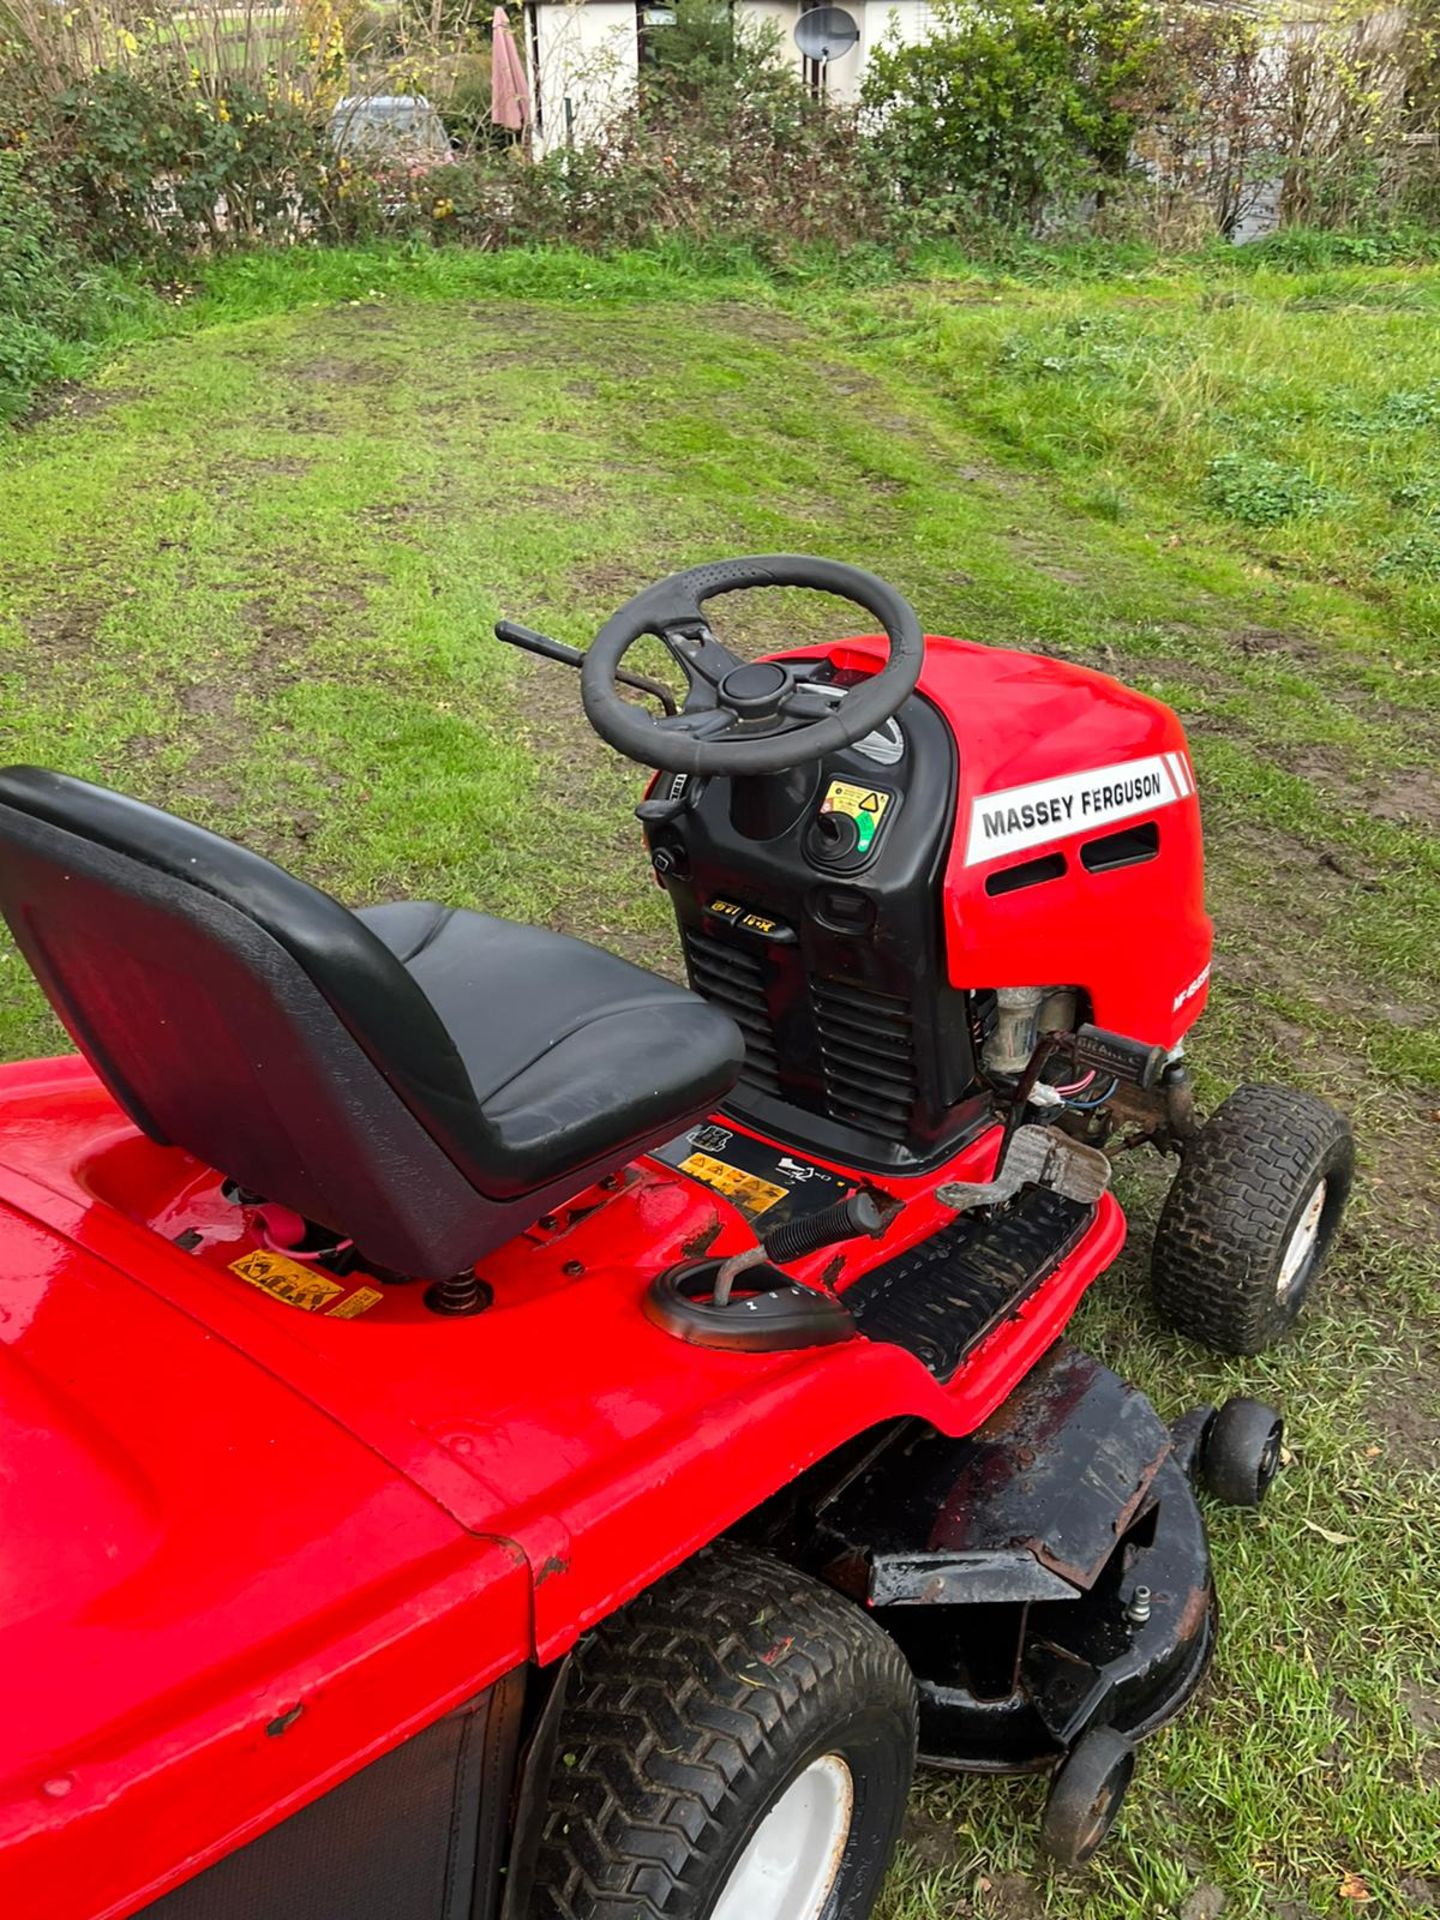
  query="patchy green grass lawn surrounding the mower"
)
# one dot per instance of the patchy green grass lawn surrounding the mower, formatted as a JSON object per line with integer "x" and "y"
{"x": 251, "y": 575}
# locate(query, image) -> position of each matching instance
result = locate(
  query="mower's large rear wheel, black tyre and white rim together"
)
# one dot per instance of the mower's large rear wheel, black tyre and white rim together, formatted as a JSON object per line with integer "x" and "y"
{"x": 736, "y": 1746}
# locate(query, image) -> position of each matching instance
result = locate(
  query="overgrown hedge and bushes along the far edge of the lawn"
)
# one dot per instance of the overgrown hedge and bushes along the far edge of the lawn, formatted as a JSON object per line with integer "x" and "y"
{"x": 162, "y": 135}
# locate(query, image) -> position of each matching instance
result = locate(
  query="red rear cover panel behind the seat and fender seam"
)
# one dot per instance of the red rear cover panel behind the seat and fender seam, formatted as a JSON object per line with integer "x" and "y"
{"x": 187, "y": 1554}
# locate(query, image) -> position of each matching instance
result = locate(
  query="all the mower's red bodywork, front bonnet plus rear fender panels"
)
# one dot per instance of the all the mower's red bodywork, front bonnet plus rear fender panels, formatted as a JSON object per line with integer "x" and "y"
{"x": 251, "y": 1541}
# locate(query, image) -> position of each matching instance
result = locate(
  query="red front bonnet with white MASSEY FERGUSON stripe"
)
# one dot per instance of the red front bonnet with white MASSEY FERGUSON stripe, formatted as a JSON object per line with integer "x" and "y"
{"x": 1057, "y": 763}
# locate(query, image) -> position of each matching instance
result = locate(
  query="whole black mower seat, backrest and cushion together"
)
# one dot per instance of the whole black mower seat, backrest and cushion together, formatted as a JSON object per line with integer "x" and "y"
{"x": 421, "y": 1080}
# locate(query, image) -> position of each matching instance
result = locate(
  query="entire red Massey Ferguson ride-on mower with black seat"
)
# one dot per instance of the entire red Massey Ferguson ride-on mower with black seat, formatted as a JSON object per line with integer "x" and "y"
{"x": 489, "y": 1431}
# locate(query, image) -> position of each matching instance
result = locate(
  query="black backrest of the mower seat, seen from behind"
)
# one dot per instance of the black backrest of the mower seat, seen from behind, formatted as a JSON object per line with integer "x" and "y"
{"x": 245, "y": 1017}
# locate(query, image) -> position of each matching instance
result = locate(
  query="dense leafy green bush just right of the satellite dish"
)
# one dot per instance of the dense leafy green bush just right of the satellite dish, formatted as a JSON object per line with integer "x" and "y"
{"x": 1011, "y": 108}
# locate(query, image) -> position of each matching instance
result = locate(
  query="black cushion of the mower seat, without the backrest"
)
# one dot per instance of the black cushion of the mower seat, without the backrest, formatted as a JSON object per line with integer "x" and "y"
{"x": 571, "y": 1051}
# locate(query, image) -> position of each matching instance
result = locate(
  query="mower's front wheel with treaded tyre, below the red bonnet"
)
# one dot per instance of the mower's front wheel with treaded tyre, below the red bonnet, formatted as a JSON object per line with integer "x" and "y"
{"x": 1251, "y": 1218}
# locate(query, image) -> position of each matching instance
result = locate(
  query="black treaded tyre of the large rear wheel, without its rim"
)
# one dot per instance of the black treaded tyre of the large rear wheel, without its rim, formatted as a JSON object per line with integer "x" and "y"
{"x": 688, "y": 1706}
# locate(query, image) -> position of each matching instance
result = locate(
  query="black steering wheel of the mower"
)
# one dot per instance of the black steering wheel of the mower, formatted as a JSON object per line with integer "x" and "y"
{"x": 746, "y": 717}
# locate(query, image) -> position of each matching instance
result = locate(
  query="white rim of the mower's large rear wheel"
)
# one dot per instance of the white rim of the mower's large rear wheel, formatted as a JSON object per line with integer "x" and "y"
{"x": 792, "y": 1863}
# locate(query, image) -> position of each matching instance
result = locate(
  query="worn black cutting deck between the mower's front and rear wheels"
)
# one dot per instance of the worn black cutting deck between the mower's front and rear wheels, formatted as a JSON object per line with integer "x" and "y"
{"x": 1045, "y": 1575}
